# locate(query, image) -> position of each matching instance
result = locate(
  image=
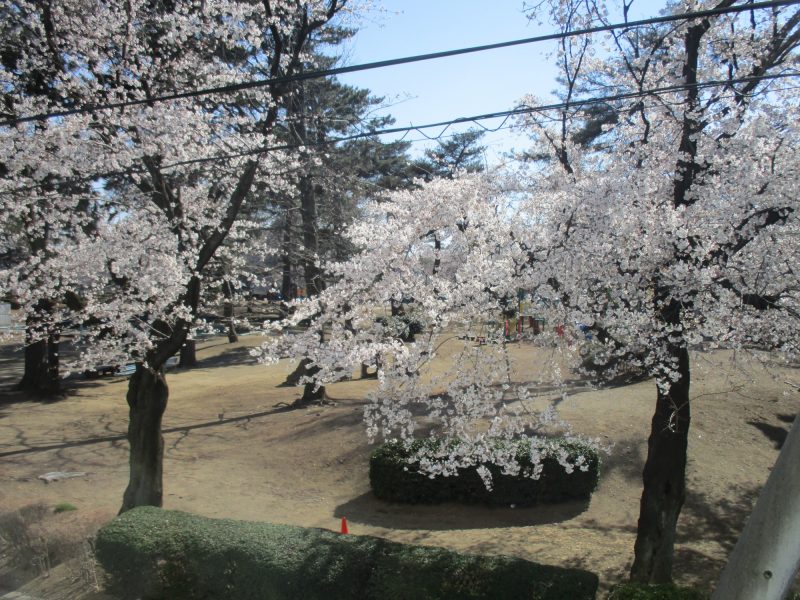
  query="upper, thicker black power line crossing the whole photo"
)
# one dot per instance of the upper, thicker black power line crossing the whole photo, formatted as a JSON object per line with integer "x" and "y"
{"x": 226, "y": 89}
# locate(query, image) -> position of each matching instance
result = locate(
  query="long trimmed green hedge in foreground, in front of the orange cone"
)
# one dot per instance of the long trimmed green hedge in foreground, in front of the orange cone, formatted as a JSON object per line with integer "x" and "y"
{"x": 157, "y": 554}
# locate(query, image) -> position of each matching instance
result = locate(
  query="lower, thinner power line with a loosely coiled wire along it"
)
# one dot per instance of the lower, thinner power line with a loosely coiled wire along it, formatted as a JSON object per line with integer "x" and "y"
{"x": 506, "y": 115}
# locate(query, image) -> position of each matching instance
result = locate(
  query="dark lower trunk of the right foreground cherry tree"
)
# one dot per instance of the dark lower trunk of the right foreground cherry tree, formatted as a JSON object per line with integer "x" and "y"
{"x": 664, "y": 479}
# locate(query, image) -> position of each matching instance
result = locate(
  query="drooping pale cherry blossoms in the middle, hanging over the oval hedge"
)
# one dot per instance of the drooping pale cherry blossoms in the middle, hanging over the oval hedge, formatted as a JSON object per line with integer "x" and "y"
{"x": 449, "y": 253}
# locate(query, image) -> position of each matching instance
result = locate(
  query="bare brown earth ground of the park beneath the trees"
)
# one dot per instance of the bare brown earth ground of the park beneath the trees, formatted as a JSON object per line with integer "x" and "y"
{"x": 232, "y": 450}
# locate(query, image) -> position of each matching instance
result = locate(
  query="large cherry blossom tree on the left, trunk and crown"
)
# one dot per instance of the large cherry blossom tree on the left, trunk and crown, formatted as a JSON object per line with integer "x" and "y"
{"x": 161, "y": 199}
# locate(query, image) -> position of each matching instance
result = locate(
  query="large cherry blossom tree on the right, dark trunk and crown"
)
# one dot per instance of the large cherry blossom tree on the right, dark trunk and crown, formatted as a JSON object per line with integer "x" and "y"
{"x": 682, "y": 231}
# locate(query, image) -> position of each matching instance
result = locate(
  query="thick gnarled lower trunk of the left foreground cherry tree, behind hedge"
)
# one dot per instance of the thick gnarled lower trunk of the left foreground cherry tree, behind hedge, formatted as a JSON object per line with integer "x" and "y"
{"x": 147, "y": 399}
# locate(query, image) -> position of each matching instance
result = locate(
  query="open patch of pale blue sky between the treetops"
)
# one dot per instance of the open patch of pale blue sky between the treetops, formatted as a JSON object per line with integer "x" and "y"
{"x": 454, "y": 87}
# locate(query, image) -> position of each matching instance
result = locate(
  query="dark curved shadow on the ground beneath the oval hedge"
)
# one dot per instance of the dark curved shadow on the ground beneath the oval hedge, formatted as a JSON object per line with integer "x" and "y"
{"x": 369, "y": 510}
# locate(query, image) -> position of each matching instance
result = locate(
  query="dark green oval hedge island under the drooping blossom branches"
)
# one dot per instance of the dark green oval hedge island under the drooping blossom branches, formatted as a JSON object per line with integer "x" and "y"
{"x": 394, "y": 479}
